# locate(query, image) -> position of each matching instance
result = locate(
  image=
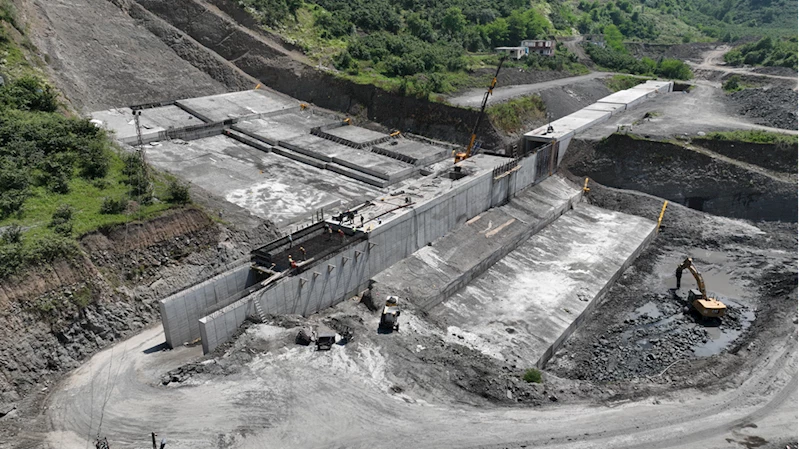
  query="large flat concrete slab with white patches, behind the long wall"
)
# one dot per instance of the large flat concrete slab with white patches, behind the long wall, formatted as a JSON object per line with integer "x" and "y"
{"x": 266, "y": 184}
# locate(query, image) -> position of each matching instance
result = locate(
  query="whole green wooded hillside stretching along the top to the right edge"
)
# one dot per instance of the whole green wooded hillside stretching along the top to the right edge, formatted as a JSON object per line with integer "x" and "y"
{"x": 421, "y": 47}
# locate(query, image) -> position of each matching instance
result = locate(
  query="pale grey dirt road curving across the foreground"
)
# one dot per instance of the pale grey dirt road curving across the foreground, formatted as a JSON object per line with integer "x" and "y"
{"x": 294, "y": 397}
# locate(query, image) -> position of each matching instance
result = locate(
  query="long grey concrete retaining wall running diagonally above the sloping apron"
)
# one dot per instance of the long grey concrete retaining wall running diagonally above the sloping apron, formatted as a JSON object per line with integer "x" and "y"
{"x": 348, "y": 272}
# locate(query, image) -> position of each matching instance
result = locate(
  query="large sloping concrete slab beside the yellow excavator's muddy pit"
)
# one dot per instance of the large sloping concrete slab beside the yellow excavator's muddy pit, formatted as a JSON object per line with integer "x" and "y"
{"x": 527, "y": 304}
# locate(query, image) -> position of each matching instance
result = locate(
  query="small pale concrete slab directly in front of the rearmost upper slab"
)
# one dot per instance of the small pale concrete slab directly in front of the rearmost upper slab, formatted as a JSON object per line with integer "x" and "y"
{"x": 281, "y": 127}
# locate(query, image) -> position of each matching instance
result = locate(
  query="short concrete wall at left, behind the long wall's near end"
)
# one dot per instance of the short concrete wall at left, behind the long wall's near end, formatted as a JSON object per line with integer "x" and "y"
{"x": 180, "y": 312}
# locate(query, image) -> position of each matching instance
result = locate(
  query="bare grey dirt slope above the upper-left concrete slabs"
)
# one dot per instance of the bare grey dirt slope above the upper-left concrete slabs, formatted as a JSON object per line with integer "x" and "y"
{"x": 100, "y": 58}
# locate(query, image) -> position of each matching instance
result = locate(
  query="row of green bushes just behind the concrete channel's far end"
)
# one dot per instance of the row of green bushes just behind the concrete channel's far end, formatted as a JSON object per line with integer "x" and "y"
{"x": 621, "y": 61}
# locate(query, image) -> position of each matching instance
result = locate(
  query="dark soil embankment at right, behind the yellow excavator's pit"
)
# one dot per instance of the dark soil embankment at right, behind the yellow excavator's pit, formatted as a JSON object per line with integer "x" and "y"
{"x": 684, "y": 176}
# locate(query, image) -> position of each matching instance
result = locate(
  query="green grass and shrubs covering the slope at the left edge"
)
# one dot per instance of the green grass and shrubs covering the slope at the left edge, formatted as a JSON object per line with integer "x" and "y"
{"x": 60, "y": 176}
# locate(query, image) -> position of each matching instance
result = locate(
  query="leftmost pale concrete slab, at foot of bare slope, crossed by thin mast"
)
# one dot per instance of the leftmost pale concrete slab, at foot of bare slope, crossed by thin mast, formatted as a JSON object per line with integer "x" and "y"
{"x": 153, "y": 120}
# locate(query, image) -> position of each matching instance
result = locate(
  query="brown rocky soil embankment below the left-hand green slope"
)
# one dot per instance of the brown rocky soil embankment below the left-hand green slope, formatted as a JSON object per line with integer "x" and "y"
{"x": 53, "y": 317}
